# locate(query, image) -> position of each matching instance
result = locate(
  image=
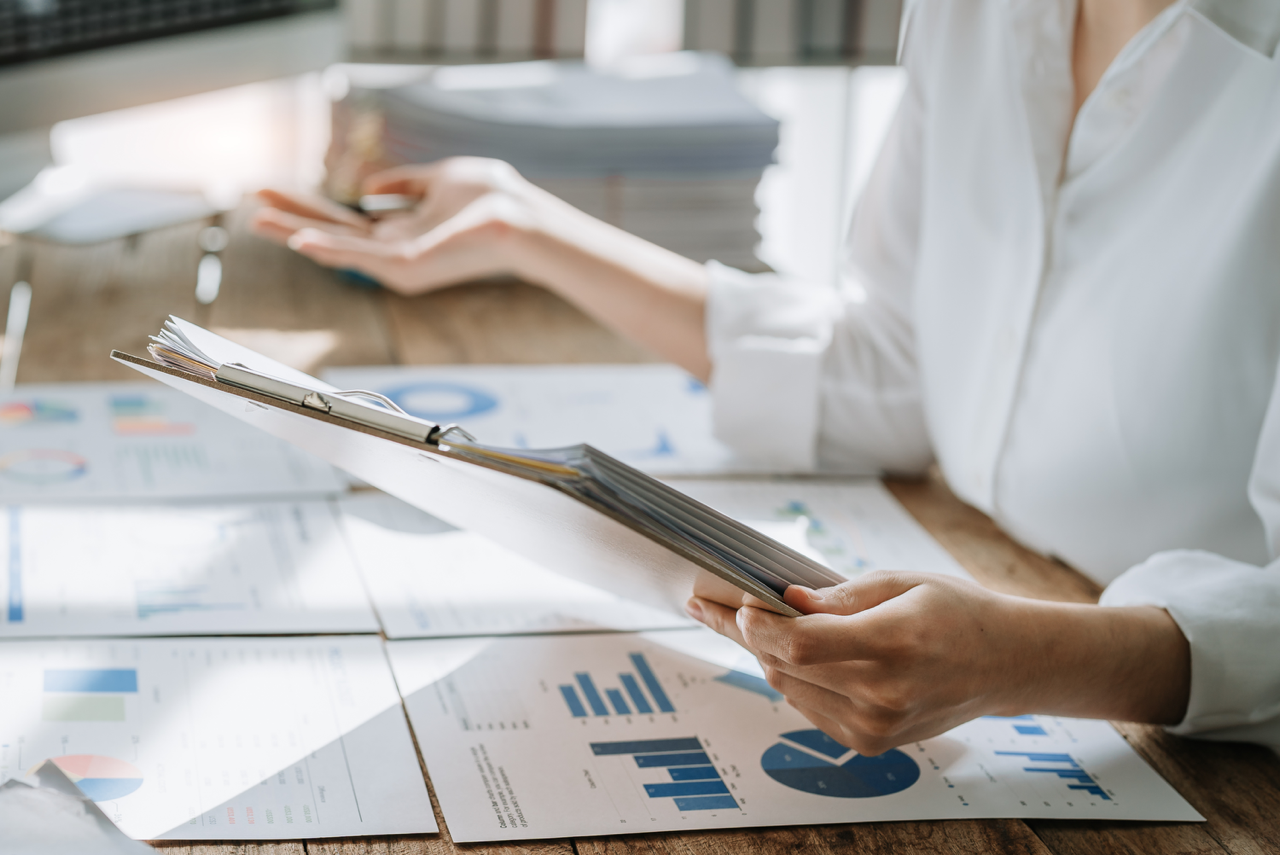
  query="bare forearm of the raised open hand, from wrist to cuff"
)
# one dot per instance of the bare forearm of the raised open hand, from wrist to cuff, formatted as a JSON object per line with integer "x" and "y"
{"x": 648, "y": 294}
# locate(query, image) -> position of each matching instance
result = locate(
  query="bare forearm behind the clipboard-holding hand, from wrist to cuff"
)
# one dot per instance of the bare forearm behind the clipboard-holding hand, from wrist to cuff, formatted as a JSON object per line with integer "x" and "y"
{"x": 1092, "y": 662}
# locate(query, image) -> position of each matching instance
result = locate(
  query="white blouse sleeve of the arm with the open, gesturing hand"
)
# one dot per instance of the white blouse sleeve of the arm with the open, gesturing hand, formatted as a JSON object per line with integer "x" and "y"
{"x": 806, "y": 376}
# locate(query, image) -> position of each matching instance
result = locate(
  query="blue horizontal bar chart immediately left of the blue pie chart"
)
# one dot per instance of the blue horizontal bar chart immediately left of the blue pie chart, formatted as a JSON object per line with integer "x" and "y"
{"x": 694, "y": 783}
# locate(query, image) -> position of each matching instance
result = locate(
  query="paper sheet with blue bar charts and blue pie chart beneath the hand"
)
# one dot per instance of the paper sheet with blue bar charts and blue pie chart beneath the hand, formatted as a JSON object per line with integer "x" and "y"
{"x": 577, "y": 735}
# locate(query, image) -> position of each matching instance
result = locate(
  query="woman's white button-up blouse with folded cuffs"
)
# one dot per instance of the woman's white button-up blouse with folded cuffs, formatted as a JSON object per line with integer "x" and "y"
{"x": 1080, "y": 324}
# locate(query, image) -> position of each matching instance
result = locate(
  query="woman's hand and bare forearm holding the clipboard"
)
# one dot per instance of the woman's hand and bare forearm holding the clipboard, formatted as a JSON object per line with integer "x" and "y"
{"x": 894, "y": 659}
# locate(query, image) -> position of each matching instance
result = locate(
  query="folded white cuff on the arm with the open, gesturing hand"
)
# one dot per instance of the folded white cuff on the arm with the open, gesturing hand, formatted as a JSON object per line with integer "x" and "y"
{"x": 767, "y": 340}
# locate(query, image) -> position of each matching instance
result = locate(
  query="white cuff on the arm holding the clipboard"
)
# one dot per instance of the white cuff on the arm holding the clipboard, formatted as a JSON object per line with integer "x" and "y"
{"x": 1231, "y": 614}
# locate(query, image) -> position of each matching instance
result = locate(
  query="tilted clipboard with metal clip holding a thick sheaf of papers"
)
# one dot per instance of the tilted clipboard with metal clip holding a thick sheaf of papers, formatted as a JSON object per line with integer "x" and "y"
{"x": 575, "y": 511}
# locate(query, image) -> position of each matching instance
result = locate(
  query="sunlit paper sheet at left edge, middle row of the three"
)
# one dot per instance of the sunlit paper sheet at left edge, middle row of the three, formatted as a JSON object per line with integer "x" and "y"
{"x": 268, "y": 568}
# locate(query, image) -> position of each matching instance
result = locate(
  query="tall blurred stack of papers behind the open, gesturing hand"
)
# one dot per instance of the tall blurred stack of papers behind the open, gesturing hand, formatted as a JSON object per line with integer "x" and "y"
{"x": 664, "y": 147}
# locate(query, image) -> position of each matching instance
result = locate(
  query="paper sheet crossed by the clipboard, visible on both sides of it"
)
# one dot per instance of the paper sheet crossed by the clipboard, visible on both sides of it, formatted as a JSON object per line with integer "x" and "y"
{"x": 429, "y": 580}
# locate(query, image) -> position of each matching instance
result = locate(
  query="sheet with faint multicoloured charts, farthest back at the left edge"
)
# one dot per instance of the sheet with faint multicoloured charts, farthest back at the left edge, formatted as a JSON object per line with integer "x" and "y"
{"x": 141, "y": 441}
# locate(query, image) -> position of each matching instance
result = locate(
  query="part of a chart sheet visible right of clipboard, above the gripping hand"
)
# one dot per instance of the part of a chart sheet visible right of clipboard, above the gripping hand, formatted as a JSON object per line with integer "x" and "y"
{"x": 852, "y": 527}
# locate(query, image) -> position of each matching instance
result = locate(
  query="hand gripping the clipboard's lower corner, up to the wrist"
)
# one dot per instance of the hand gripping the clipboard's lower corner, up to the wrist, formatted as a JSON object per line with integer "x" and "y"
{"x": 889, "y": 659}
